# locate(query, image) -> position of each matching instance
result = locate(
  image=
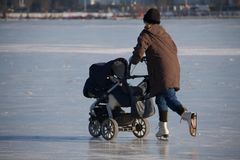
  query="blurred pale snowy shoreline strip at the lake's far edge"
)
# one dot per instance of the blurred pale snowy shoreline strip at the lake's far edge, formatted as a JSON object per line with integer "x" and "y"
{"x": 110, "y": 15}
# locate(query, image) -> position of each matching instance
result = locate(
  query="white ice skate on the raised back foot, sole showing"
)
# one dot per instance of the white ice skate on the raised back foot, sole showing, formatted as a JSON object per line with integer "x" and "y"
{"x": 191, "y": 118}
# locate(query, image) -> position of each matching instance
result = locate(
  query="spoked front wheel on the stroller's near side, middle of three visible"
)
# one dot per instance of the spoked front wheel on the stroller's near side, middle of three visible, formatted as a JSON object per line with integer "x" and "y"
{"x": 109, "y": 129}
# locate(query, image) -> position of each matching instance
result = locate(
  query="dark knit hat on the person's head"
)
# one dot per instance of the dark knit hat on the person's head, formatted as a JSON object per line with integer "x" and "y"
{"x": 152, "y": 16}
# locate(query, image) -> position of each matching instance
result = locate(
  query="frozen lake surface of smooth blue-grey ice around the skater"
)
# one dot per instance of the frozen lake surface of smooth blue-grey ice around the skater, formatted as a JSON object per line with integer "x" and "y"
{"x": 43, "y": 67}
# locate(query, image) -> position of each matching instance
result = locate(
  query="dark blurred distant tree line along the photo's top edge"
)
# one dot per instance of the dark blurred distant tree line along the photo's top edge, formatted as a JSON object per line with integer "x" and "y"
{"x": 109, "y": 6}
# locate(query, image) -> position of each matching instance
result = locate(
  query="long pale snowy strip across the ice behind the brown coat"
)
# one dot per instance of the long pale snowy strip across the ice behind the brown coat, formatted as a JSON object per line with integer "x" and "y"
{"x": 99, "y": 49}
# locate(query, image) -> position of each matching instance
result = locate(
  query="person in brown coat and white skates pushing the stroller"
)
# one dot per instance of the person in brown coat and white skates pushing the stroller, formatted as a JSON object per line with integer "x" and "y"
{"x": 163, "y": 70}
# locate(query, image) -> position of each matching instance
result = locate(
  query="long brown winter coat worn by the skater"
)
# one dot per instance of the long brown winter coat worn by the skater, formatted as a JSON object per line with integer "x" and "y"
{"x": 162, "y": 61}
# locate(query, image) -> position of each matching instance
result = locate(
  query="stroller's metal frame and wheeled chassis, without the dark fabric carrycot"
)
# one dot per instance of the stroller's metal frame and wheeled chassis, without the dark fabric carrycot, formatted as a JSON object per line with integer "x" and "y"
{"x": 103, "y": 121}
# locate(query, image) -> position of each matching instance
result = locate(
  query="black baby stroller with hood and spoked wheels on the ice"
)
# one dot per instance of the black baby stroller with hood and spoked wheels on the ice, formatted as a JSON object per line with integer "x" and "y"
{"x": 111, "y": 79}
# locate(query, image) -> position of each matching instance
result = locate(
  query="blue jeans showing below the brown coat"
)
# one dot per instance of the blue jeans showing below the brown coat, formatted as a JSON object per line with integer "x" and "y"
{"x": 169, "y": 99}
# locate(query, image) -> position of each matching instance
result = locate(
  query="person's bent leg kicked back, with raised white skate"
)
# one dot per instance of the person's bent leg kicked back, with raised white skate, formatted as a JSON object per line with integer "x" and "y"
{"x": 175, "y": 105}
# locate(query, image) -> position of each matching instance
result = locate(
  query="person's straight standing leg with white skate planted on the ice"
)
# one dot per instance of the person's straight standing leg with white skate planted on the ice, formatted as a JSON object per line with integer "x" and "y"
{"x": 163, "y": 131}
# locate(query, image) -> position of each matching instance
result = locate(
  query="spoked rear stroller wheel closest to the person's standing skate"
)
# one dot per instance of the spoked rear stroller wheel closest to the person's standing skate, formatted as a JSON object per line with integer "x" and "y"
{"x": 141, "y": 127}
